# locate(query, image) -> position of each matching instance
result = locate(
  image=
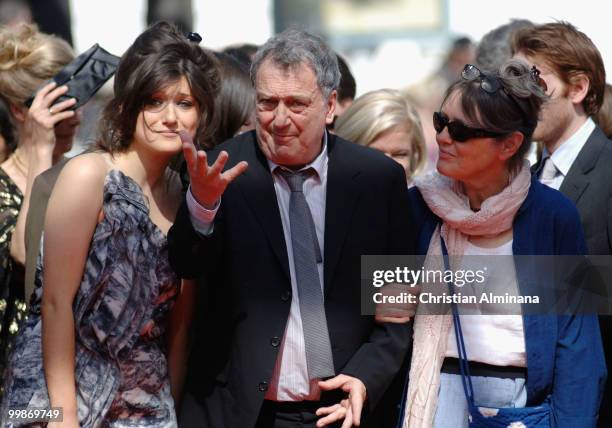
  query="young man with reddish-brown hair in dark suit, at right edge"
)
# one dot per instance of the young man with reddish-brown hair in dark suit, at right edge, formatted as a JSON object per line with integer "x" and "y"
{"x": 577, "y": 155}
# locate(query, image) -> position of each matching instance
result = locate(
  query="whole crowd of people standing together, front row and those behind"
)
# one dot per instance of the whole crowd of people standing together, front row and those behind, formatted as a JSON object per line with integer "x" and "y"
{"x": 200, "y": 264}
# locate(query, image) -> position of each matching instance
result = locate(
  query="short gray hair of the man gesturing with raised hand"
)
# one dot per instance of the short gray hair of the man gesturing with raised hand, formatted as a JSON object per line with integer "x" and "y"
{"x": 293, "y": 47}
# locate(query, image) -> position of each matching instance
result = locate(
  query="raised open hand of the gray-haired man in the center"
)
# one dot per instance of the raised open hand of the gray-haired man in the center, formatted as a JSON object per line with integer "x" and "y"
{"x": 208, "y": 182}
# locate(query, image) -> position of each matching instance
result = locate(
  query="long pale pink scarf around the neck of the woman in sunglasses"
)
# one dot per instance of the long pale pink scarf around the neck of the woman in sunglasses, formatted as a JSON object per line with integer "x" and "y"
{"x": 444, "y": 198}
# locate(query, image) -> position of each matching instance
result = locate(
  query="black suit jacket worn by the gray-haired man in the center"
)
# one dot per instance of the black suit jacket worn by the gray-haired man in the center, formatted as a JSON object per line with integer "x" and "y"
{"x": 243, "y": 310}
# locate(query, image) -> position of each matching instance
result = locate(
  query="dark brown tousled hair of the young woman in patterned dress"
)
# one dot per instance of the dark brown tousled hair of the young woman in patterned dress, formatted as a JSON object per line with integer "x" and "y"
{"x": 160, "y": 56}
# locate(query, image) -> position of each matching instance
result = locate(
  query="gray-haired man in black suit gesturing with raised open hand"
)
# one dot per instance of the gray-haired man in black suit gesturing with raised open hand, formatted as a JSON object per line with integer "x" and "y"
{"x": 276, "y": 226}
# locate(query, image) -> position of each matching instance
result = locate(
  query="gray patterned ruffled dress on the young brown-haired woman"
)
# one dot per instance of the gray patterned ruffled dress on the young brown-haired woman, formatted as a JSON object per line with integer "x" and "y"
{"x": 120, "y": 313}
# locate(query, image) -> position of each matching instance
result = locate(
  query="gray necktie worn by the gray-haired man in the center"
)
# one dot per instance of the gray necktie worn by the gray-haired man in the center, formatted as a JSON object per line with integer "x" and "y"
{"x": 306, "y": 253}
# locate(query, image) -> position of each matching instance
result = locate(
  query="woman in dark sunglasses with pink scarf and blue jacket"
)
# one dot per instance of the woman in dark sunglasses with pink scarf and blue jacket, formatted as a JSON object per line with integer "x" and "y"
{"x": 482, "y": 201}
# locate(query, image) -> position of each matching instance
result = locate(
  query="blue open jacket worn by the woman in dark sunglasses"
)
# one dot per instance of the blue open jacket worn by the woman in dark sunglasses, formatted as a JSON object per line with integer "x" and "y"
{"x": 564, "y": 353}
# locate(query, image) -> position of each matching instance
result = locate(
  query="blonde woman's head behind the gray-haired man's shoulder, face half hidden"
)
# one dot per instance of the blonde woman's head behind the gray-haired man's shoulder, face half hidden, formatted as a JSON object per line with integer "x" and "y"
{"x": 386, "y": 121}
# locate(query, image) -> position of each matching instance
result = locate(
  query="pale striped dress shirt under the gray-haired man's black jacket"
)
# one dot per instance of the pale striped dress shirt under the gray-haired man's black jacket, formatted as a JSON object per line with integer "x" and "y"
{"x": 290, "y": 377}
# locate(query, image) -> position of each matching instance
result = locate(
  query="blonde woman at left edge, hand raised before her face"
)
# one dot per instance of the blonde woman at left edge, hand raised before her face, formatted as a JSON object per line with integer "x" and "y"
{"x": 27, "y": 59}
